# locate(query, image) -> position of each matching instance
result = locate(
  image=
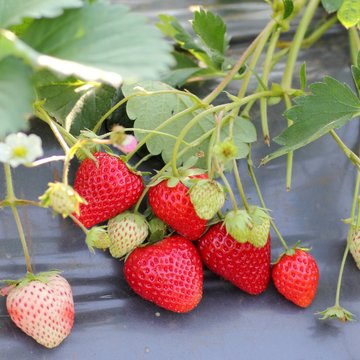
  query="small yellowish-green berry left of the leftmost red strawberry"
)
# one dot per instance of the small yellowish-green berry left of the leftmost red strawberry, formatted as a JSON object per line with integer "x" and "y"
{"x": 62, "y": 198}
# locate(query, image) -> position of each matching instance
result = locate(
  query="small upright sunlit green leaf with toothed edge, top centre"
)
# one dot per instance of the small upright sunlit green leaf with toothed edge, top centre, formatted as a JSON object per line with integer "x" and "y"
{"x": 211, "y": 30}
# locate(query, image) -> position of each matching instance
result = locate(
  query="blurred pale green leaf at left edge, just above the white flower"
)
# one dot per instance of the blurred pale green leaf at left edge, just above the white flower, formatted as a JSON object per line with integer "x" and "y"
{"x": 16, "y": 95}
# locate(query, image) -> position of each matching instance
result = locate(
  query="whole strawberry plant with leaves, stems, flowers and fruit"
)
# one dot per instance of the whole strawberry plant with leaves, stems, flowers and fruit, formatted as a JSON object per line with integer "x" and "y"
{"x": 73, "y": 64}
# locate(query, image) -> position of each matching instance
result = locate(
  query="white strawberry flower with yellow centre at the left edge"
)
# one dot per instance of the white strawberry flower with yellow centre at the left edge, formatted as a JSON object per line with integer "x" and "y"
{"x": 19, "y": 148}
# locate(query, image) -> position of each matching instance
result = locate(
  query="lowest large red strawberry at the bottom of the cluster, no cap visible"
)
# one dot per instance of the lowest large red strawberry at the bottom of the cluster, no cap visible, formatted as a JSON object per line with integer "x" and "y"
{"x": 168, "y": 273}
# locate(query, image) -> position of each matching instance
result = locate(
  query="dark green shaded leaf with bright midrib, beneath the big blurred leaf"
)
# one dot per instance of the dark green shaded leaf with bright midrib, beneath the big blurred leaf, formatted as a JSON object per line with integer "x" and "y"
{"x": 75, "y": 104}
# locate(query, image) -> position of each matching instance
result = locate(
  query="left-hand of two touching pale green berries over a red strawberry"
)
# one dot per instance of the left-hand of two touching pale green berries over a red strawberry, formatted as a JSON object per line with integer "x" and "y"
{"x": 239, "y": 224}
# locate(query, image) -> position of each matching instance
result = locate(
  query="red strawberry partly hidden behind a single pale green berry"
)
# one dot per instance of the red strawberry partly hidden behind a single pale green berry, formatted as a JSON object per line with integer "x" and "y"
{"x": 173, "y": 206}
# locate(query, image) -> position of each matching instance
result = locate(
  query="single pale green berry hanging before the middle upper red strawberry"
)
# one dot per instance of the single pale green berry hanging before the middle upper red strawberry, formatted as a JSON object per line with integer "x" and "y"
{"x": 208, "y": 197}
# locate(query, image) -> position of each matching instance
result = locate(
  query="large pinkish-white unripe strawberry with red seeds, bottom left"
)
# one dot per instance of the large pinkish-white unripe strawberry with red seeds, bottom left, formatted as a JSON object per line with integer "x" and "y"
{"x": 42, "y": 306}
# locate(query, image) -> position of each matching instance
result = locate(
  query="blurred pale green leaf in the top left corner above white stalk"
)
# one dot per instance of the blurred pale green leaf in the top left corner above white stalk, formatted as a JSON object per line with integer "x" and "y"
{"x": 12, "y": 12}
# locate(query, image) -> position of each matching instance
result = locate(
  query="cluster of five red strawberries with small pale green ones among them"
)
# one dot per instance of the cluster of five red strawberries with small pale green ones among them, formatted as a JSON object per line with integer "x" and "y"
{"x": 169, "y": 272}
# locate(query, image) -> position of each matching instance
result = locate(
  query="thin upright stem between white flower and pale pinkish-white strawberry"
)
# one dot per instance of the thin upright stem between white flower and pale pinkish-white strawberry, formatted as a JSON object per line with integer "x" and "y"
{"x": 11, "y": 199}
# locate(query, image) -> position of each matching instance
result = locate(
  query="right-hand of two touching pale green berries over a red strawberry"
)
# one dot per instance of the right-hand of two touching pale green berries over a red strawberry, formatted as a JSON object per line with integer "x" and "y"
{"x": 261, "y": 227}
